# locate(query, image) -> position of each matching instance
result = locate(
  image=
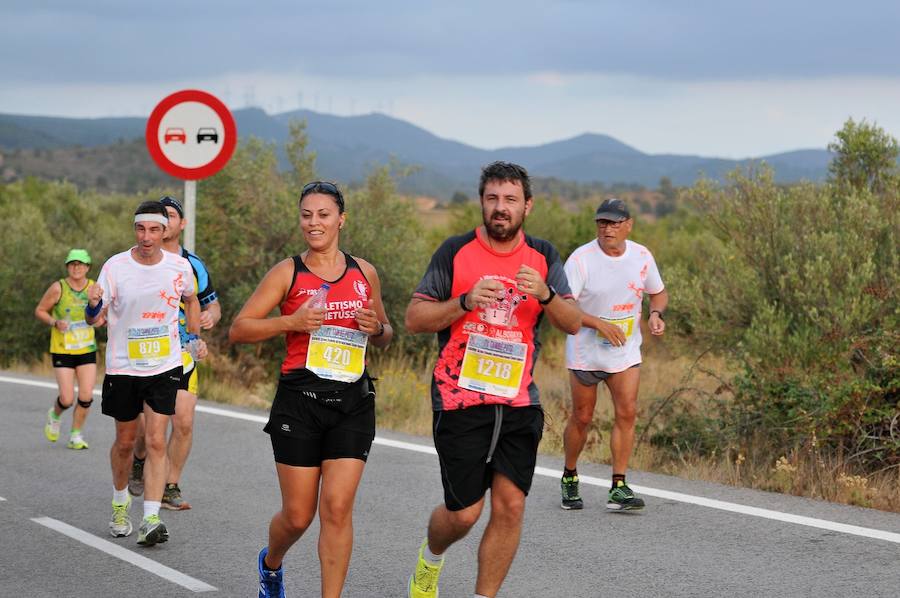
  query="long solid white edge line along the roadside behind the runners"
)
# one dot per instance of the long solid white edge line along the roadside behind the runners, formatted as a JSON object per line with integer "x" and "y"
{"x": 711, "y": 503}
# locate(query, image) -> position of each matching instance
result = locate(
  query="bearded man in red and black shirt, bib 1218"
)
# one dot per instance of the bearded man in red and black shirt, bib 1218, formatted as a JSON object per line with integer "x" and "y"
{"x": 485, "y": 293}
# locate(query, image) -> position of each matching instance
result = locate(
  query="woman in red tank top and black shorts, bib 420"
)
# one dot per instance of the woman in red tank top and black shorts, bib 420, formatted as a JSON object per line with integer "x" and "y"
{"x": 322, "y": 421}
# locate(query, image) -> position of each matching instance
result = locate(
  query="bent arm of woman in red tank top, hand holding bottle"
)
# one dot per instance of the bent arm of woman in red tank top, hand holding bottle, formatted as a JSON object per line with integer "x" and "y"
{"x": 253, "y": 324}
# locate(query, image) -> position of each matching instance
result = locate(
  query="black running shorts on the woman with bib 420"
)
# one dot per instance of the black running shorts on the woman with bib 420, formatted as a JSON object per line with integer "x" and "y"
{"x": 305, "y": 432}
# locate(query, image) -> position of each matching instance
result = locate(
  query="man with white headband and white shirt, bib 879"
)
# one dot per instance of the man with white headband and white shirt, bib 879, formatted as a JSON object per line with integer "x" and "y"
{"x": 139, "y": 291}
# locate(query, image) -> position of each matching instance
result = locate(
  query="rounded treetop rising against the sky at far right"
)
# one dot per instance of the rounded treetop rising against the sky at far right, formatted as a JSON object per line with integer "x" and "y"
{"x": 865, "y": 157}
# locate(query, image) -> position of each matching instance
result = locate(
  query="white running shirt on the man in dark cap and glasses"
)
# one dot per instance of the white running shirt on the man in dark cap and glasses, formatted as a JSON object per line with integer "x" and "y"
{"x": 610, "y": 288}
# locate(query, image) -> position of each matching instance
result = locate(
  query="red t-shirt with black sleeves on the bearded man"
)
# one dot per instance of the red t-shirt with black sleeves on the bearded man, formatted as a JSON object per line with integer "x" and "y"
{"x": 455, "y": 267}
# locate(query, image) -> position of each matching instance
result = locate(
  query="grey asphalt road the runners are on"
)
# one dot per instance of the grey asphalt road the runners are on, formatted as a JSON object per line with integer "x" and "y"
{"x": 694, "y": 539}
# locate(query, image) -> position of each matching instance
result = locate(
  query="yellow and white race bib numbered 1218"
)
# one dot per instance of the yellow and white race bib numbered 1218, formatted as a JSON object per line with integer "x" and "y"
{"x": 493, "y": 366}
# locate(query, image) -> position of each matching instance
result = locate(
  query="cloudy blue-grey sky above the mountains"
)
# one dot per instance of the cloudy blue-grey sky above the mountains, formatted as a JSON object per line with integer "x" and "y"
{"x": 703, "y": 77}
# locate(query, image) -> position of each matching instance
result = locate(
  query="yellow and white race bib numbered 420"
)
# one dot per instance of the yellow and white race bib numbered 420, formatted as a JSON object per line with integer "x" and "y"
{"x": 337, "y": 353}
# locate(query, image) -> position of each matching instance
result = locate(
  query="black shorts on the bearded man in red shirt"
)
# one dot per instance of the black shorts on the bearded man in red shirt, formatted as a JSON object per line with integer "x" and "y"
{"x": 464, "y": 438}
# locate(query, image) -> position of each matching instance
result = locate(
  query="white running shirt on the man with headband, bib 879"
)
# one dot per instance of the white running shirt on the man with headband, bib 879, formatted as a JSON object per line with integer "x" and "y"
{"x": 142, "y": 319}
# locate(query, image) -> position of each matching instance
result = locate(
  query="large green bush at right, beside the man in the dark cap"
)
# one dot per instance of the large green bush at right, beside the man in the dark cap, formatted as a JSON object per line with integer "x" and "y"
{"x": 799, "y": 285}
